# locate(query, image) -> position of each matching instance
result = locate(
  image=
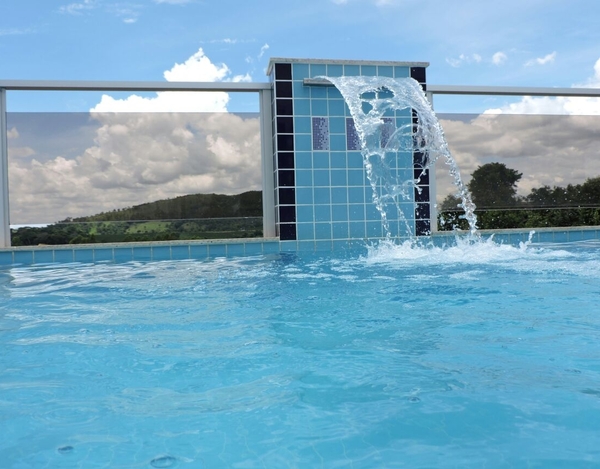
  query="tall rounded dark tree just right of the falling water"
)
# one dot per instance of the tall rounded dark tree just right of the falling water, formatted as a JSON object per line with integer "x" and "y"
{"x": 493, "y": 185}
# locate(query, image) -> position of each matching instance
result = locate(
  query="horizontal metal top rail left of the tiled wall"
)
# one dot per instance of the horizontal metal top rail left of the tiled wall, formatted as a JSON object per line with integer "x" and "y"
{"x": 71, "y": 85}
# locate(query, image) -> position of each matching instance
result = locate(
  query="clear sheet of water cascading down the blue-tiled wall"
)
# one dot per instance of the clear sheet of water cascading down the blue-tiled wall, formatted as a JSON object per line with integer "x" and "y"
{"x": 371, "y": 100}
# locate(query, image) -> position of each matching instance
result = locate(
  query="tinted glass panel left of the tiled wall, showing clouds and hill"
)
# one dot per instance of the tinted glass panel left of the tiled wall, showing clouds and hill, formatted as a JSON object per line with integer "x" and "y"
{"x": 134, "y": 176}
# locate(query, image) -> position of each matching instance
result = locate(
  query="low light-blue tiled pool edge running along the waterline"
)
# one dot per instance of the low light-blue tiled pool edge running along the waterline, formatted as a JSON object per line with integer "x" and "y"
{"x": 182, "y": 250}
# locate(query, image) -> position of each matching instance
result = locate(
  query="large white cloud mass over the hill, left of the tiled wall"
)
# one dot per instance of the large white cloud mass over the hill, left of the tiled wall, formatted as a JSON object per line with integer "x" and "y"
{"x": 159, "y": 147}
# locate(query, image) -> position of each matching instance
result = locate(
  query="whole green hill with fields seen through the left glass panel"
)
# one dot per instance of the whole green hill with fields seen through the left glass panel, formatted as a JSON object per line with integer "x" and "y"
{"x": 197, "y": 216}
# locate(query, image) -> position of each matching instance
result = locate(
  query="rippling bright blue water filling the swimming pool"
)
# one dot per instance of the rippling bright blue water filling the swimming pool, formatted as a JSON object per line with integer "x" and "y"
{"x": 468, "y": 356}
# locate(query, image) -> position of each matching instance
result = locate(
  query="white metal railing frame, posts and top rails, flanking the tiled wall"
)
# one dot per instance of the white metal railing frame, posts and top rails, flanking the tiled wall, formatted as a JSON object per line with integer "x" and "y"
{"x": 265, "y": 100}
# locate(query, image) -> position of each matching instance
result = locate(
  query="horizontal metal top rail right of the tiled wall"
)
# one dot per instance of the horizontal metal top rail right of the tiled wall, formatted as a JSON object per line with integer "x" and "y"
{"x": 489, "y": 90}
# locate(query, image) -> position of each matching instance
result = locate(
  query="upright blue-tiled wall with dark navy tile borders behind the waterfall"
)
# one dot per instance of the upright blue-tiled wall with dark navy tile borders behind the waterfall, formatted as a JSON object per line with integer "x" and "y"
{"x": 321, "y": 190}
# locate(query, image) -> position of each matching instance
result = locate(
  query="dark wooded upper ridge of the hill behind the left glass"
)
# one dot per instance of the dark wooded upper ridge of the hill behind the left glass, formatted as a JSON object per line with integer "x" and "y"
{"x": 247, "y": 204}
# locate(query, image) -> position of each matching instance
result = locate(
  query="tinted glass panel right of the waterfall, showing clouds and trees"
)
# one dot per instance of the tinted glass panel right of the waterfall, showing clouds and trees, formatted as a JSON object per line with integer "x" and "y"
{"x": 524, "y": 171}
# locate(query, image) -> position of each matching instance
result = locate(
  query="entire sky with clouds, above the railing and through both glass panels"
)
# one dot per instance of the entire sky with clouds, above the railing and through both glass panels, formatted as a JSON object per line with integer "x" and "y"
{"x": 113, "y": 161}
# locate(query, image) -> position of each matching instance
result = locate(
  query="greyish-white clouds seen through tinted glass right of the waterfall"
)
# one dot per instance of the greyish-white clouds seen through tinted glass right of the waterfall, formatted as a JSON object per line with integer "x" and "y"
{"x": 544, "y": 148}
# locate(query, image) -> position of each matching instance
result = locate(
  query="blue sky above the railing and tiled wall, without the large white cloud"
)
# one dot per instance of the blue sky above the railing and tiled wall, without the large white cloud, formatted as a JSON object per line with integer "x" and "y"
{"x": 505, "y": 43}
